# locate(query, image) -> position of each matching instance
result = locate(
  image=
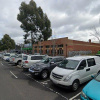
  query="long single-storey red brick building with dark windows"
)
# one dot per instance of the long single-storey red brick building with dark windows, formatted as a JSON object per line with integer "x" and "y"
{"x": 65, "y": 47}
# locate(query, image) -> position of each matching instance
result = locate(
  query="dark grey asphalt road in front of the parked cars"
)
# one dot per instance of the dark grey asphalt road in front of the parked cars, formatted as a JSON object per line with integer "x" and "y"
{"x": 15, "y": 84}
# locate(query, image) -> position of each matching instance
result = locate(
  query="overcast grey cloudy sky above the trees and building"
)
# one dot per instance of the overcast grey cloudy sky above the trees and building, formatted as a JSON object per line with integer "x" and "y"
{"x": 74, "y": 19}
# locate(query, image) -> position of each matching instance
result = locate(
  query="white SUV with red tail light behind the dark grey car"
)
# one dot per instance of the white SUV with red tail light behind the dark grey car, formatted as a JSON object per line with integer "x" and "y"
{"x": 31, "y": 59}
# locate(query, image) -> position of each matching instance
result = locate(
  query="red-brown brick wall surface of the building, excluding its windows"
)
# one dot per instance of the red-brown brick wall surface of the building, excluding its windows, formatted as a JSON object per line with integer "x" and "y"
{"x": 68, "y": 45}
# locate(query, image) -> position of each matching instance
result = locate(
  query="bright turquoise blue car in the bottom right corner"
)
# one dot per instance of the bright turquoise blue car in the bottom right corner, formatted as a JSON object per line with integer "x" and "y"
{"x": 92, "y": 90}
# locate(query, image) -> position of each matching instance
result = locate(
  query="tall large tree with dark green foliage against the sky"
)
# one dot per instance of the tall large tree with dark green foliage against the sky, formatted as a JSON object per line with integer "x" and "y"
{"x": 34, "y": 21}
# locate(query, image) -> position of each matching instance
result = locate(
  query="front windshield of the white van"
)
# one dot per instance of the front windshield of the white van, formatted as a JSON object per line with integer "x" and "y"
{"x": 68, "y": 64}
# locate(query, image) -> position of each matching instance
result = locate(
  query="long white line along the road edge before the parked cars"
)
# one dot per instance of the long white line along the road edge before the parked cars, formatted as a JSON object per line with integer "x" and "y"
{"x": 47, "y": 87}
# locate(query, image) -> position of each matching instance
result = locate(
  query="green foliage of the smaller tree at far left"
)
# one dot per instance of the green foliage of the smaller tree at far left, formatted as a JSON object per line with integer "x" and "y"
{"x": 7, "y": 43}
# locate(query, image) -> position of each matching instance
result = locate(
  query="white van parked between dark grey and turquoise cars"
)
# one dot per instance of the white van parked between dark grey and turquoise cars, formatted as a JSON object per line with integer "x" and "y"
{"x": 75, "y": 70}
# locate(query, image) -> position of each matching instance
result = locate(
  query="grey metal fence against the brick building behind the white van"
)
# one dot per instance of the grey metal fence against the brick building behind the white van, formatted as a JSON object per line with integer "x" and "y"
{"x": 75, "y": 53}
